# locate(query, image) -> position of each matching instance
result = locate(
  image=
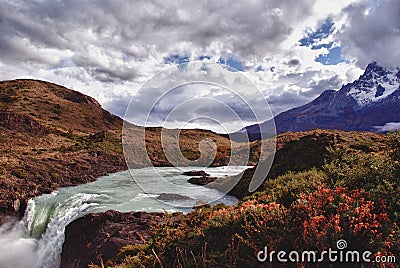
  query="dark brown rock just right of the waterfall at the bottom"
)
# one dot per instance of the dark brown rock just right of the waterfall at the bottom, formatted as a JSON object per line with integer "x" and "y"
{"x": 98, "y": 237}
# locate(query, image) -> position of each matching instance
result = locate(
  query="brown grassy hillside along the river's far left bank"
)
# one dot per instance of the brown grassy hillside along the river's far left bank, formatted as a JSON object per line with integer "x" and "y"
{"x": 52, "y": 137}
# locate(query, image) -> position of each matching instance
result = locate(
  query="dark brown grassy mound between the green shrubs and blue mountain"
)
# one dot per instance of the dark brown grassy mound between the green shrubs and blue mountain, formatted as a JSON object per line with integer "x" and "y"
{"x": 301, "y": 151}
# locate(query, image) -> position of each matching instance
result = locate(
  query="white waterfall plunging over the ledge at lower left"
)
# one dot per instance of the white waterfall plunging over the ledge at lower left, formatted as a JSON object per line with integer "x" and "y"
{"x": 36, "y": 240}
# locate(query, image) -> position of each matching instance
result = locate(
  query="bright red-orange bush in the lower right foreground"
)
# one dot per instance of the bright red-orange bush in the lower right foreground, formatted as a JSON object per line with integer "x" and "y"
{"x": 327, "y": 215}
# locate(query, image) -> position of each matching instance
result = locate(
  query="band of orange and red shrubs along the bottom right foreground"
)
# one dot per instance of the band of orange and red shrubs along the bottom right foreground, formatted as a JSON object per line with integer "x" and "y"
{"x": 231, "y": 236}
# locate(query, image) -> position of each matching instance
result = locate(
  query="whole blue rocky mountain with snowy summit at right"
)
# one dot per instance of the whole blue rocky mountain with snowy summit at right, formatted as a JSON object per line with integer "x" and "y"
{"x": 364, "y": 105}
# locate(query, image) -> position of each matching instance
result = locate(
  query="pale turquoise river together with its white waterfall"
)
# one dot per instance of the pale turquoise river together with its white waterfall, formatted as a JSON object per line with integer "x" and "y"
{"x": 36, "y": 240}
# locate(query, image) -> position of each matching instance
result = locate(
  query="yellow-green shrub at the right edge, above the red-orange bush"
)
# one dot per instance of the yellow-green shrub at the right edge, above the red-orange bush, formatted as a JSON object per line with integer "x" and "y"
{"x": 376, "y": 173}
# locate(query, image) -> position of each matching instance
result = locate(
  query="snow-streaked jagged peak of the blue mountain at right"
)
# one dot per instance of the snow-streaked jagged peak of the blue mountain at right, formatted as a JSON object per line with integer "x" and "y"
{"x": 374, "y": 85}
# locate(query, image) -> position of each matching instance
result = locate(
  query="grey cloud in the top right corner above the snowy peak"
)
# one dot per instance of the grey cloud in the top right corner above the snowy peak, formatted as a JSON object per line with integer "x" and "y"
{"x": 372, "y": 32}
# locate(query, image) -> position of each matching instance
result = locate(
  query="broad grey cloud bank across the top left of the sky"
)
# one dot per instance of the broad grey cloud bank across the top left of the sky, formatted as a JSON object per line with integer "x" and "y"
{"x": 106, "y": 37}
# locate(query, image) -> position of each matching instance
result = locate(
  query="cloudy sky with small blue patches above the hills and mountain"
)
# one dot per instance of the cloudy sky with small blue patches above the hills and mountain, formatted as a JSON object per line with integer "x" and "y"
{"x": 291, "y": 50}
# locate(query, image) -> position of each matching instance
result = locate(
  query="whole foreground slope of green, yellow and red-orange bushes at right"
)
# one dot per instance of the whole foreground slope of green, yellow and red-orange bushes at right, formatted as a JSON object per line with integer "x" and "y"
{"x": 353, "y": 195}
